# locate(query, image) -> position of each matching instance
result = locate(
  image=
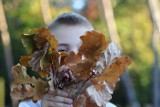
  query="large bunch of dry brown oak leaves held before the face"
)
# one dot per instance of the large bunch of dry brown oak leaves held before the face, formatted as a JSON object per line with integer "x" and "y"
{"x": 91, "y": 73}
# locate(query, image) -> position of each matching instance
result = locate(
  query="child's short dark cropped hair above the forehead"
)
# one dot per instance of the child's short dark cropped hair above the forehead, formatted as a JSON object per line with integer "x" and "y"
{"x": 70, "y": 18}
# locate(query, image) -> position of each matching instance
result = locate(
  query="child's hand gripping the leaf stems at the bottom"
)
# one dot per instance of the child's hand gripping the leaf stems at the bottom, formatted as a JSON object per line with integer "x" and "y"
{"x": 60, "y": 99}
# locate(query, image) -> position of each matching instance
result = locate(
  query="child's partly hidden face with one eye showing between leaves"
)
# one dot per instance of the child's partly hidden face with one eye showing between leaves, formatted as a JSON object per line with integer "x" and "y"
{"x": 68, "y": 37}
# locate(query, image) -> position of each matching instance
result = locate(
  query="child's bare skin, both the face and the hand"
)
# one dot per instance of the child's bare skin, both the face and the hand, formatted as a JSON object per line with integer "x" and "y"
{"x": 68, "y": 38}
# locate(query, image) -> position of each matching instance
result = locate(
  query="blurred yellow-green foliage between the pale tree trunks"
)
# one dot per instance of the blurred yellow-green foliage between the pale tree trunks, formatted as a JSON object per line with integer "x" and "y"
{"x": 134, "y": 28}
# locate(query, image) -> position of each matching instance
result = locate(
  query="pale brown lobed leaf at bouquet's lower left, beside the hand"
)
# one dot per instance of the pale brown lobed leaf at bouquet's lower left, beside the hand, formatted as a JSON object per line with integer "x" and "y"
{"x": 26, "y": 87}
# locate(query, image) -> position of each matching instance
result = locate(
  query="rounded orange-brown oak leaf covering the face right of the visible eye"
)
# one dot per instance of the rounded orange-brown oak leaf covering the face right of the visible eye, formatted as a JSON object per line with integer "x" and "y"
{"x": 93, "y": 44}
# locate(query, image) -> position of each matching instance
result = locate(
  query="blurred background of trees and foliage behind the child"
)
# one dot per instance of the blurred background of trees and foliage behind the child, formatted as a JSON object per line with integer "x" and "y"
{"x": 133, "y": 24}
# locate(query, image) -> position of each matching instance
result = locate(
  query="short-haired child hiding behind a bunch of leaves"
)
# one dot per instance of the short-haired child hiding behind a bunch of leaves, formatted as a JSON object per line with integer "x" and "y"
{"x": 67, "y": 29}
